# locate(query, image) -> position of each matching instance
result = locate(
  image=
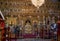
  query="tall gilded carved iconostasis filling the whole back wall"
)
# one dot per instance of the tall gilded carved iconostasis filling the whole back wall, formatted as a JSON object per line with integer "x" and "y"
{"x": 26, "y": 17}
